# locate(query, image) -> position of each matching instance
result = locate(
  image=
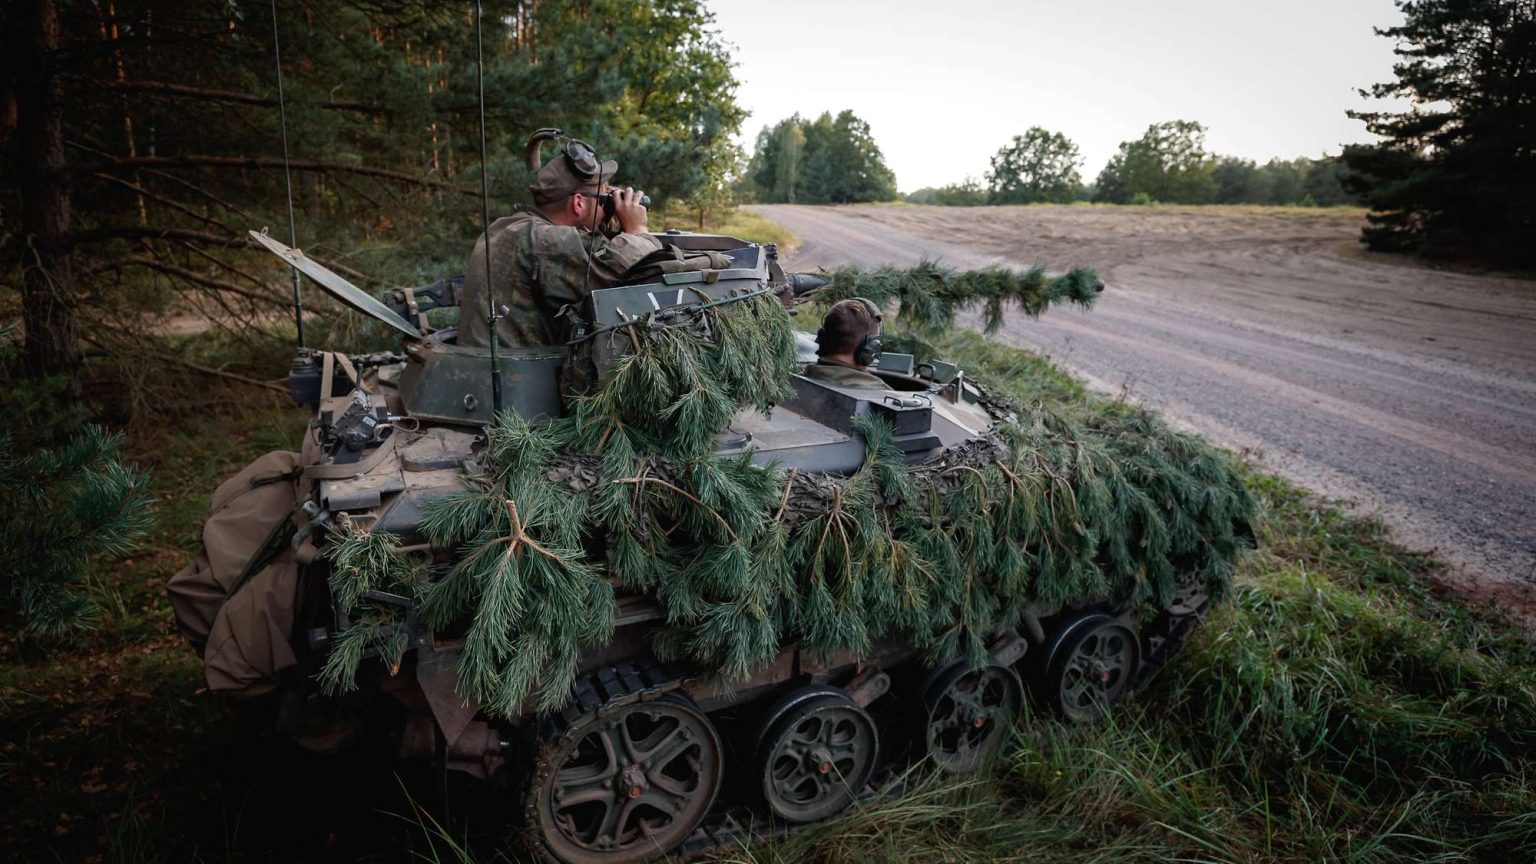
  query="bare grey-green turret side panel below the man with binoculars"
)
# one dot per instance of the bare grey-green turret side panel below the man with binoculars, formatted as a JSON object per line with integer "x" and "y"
{"x": 451, "y": 384}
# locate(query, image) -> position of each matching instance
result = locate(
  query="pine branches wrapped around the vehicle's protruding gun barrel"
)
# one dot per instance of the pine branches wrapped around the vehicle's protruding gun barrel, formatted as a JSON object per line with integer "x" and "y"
{"x": 932, "y": 294}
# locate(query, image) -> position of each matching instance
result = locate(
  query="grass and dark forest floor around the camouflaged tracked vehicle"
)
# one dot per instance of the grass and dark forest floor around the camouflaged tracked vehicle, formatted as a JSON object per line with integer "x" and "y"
{"x": 1336, "y": 709}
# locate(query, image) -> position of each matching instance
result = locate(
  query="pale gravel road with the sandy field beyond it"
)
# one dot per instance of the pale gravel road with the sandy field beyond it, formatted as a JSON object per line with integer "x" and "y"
{"x": 1406, "y": 391}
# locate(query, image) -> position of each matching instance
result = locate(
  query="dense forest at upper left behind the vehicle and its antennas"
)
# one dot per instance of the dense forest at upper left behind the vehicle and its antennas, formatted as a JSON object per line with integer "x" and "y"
{"x": 142, "y": 139}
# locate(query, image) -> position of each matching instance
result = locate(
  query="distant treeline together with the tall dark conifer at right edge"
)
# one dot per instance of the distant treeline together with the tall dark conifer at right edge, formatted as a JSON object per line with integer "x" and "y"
{"x": 1454, "y": 176}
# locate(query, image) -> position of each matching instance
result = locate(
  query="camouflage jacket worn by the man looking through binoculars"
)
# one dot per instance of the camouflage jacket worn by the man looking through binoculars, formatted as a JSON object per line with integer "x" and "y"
{"x": 538, "y": 268}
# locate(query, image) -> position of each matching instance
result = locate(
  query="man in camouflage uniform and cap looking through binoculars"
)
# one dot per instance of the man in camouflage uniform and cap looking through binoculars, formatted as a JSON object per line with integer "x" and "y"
{"x": 540, "y": 256}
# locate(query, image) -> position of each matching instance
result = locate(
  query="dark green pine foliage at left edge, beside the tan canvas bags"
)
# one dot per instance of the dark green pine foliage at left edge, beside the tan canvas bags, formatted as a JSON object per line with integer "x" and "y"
{"x": 59, "y": 510}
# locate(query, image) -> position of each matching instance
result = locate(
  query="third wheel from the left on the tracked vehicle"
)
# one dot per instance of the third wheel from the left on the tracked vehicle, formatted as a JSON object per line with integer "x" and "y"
{"x": 970, "y": 711}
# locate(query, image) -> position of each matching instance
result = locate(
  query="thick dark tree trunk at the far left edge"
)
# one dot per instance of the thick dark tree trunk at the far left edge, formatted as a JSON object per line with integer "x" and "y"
{"x": 53, "y": 331}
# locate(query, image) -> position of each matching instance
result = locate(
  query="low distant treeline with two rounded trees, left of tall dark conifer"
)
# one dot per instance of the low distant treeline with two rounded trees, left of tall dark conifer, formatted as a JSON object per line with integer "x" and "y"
{"x": 1168, "y": 165}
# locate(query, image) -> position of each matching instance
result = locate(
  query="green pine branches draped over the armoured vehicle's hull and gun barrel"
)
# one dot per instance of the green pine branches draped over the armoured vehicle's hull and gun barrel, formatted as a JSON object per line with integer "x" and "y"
{"x": 746, "y": 559}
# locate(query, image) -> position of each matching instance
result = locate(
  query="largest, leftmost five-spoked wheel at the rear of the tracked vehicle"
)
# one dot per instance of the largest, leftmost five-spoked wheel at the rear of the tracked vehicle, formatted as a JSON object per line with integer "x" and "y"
{"x": 627, "y": 783}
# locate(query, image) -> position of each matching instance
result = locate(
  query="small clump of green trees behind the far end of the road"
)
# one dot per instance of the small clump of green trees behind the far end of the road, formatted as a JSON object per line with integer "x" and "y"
{"x": 832, "y": 161}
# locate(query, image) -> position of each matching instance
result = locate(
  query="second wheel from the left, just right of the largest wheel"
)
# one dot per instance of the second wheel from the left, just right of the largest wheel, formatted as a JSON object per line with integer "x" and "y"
{"x": 816, "y": 756}
